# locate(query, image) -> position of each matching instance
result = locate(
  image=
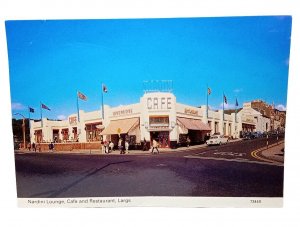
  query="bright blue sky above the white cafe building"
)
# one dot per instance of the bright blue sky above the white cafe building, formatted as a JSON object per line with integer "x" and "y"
{"x": 49, "y": 60}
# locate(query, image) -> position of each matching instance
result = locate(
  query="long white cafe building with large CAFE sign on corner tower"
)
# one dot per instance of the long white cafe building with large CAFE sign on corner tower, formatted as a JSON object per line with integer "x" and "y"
{"x": 156, "y": 116}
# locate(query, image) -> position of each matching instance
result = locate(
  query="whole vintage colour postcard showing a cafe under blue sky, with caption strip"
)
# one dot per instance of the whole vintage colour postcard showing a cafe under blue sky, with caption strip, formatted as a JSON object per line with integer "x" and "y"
{"x": 185, "y": 112}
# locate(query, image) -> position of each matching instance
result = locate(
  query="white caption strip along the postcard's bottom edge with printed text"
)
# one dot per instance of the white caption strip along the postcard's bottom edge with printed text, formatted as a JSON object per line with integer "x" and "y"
{"x": 152, "y": 201}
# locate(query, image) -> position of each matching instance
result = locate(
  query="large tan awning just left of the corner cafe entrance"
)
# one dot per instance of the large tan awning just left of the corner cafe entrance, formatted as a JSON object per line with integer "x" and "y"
{"x": 121, "y": 126}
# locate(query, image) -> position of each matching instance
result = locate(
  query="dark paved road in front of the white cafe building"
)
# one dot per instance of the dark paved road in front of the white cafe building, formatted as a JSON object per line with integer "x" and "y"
{"x": 195, "y": 172}
